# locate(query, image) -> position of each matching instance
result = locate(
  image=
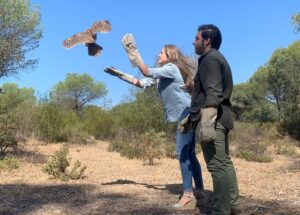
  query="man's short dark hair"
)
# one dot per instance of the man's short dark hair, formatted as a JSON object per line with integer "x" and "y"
{"x": 212, "y": 32}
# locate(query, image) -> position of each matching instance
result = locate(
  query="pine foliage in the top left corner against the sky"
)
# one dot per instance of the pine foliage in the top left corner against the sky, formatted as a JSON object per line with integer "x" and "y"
{"x": 20, "y": 33}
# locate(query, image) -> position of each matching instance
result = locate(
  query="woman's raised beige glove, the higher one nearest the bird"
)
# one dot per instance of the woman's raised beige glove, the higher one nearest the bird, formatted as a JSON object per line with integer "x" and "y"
{"x": 131, "y": 49}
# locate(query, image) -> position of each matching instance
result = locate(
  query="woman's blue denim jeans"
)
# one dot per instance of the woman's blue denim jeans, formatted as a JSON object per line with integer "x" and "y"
{"x": 185, "y": 152}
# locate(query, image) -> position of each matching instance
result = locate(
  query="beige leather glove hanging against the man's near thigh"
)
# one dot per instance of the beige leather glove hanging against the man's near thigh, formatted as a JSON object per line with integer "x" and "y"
{"x": 206, "y": 130}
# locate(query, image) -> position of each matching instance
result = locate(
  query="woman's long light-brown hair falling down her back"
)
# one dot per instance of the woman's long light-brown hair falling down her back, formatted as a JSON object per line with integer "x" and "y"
{"x": 187, "y": 69}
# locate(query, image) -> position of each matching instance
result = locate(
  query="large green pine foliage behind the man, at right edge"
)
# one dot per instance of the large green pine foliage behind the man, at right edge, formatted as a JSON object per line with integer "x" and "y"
{"x": 273, "y": 94}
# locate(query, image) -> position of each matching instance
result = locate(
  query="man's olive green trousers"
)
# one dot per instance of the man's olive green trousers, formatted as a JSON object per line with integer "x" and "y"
{"x": 219, "y": 164}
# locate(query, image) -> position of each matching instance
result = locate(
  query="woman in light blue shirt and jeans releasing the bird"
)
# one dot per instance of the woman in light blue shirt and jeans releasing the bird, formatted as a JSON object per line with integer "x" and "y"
{"x": 174, "y": 81}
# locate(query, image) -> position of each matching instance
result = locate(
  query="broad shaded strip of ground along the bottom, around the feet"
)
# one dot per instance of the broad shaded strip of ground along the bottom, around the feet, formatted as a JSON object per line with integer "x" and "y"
{"x": 90, "y": 199}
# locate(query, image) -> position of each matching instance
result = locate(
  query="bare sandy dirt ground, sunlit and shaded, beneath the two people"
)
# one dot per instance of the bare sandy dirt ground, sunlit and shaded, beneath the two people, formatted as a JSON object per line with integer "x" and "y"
{"x": 116, "y": 185}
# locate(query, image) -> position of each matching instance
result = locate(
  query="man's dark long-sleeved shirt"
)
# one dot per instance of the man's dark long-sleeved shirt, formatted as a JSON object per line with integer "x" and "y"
{"x": 212, "y": 88}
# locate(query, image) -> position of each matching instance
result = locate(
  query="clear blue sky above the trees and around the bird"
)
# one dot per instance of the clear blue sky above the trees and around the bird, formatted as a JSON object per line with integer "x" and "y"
{"x": 251, "y": 29}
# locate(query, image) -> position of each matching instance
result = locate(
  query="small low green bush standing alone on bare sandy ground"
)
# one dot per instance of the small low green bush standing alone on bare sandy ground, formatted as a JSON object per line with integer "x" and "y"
{"x": 58, "y": 164}
